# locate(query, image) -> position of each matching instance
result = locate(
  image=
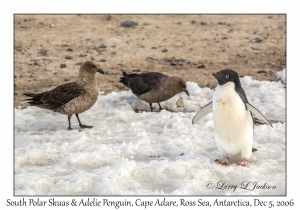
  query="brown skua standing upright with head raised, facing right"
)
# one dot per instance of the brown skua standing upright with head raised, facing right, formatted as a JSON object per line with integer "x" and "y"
{"x": 71, "y": 98}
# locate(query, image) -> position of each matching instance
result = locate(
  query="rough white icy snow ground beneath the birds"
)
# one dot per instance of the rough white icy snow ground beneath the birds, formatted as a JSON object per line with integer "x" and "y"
{"x": 144, "y": 153}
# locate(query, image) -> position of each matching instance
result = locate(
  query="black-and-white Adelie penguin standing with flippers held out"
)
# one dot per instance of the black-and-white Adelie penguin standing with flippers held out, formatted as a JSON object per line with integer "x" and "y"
{"x": 232, "y": 116}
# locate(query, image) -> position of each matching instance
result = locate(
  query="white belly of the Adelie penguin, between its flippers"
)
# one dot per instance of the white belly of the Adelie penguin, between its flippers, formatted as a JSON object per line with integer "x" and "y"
{"x": 233, "y": 123}
